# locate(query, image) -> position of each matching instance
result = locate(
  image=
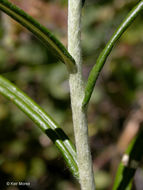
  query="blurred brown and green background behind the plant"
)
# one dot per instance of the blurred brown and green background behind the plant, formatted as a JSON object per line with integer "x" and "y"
{"x": 116, "y": 108}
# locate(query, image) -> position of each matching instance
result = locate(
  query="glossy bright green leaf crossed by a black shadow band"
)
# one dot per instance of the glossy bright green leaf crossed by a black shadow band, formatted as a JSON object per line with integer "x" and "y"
{"x": 42, "y": 120}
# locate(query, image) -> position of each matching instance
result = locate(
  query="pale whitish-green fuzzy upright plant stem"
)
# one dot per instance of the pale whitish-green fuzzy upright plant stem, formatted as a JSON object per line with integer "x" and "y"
{"x": 86, "y": 176}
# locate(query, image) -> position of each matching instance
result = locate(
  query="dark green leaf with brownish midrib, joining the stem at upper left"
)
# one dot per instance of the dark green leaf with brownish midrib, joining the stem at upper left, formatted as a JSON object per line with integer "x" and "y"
{"x": 40, "y": 32}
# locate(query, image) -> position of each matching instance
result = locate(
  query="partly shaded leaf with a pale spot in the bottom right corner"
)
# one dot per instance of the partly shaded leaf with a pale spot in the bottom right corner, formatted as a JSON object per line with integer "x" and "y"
{"x": 126, "y": 170}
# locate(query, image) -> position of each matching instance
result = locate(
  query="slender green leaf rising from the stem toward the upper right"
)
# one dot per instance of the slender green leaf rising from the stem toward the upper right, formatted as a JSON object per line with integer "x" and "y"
{"x": 94, "y": 73}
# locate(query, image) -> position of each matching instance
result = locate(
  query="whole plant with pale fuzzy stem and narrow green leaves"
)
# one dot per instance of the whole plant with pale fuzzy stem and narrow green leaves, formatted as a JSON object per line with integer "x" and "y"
{"x": 79, "y": 163}
